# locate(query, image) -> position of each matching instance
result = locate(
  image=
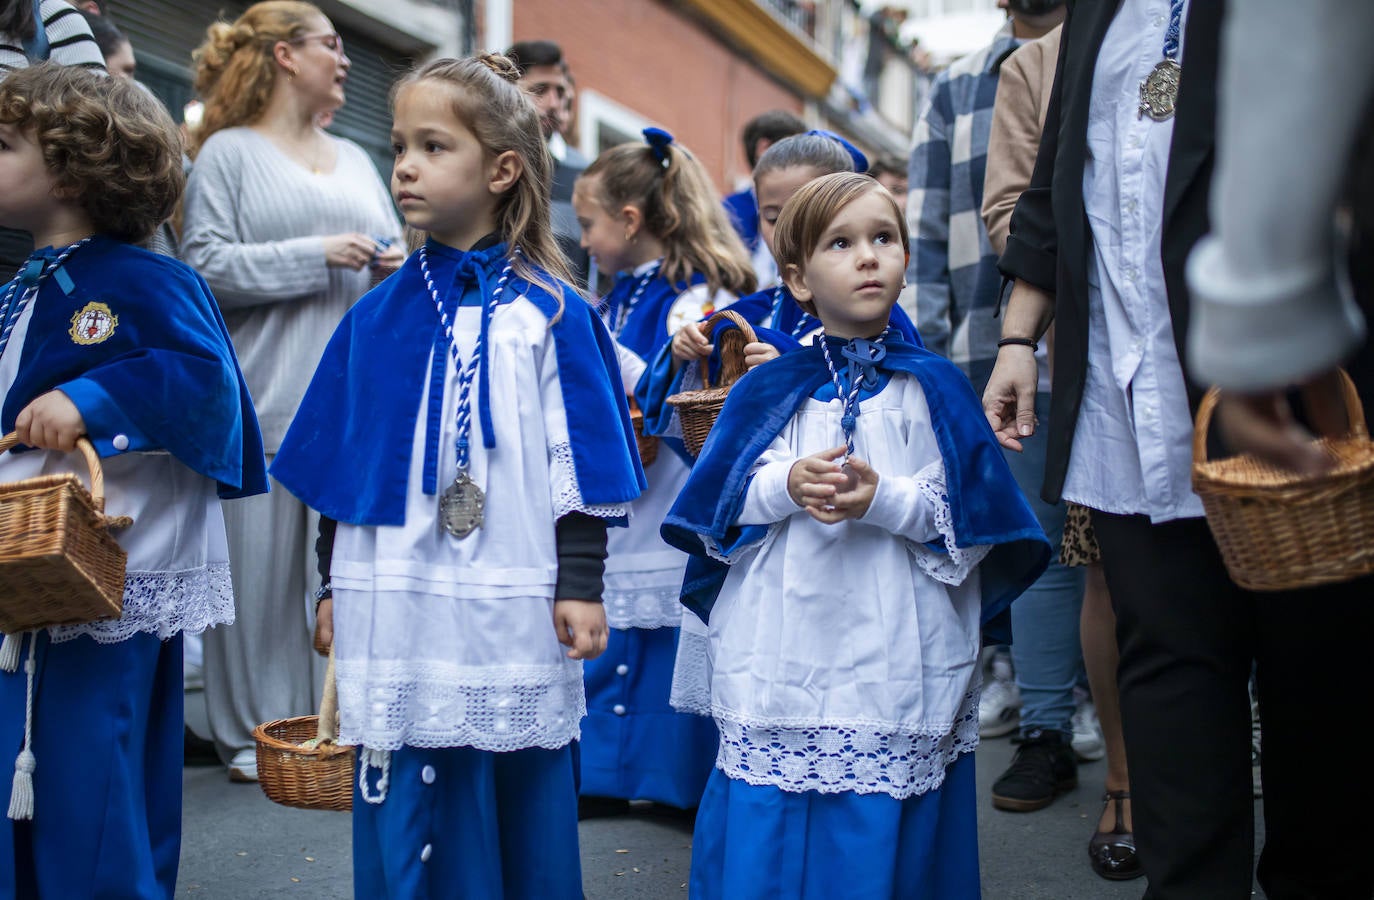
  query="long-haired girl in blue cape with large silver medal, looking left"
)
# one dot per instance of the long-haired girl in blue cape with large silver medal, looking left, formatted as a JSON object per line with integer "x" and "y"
{"x": 468, "y": 432}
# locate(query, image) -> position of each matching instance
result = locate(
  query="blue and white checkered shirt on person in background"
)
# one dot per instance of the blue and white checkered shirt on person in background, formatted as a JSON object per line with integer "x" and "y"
{"x": 953, "y": 266}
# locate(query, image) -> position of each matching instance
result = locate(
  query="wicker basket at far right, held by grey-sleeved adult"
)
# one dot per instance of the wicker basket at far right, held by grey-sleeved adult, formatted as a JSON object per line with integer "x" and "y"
{"x": 1279, "y": 530}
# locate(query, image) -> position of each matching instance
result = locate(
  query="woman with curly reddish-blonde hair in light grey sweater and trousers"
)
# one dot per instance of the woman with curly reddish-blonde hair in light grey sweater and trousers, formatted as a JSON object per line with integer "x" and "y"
{"x": 282, "y": 221}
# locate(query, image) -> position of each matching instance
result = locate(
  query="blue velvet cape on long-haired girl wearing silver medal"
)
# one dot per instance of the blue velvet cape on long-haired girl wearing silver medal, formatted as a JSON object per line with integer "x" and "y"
{"x": 348, "y": 450}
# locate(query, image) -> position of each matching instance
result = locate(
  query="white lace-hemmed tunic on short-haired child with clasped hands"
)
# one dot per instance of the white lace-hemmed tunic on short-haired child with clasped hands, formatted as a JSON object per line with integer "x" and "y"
{"x": 844, "y": 657}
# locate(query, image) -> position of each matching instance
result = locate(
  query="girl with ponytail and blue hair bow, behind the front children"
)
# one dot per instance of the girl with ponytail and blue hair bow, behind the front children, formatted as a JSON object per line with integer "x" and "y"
{"x": 651, "y": 212}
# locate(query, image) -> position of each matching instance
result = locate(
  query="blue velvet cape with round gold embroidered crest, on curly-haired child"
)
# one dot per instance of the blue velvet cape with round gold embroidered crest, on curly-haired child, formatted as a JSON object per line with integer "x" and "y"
{"x": 166, "y": 377}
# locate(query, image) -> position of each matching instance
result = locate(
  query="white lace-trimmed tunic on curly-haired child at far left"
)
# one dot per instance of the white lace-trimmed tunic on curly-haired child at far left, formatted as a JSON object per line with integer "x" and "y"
{"x": 178, "y": 576}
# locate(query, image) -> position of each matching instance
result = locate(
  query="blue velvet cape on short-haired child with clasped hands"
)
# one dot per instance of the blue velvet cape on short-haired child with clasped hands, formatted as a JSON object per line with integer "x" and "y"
{"x": 986, "y": 504}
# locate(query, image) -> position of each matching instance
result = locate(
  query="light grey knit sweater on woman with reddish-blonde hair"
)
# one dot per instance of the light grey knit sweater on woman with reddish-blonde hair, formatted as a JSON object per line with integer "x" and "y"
{"x": 255, "y": 226}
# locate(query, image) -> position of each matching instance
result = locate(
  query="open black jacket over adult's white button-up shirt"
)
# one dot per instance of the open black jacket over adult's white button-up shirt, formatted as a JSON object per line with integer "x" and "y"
{"x": 1050, "y": 238}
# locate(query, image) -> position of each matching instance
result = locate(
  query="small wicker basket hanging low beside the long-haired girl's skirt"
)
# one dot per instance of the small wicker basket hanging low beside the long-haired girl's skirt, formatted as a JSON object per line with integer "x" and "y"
{"x": 308, "y": 778}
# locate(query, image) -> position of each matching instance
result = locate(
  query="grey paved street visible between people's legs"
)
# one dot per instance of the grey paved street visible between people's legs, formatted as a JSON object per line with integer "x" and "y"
{"x": 237, "y": 844}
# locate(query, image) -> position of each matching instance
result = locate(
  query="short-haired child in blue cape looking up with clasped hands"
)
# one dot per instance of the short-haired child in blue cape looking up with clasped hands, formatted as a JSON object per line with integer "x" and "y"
{"x": 854, "y": 528}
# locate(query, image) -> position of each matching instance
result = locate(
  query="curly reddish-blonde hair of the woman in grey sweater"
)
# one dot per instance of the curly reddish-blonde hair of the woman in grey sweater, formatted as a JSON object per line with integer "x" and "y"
{"x": 236, "y": 67}
